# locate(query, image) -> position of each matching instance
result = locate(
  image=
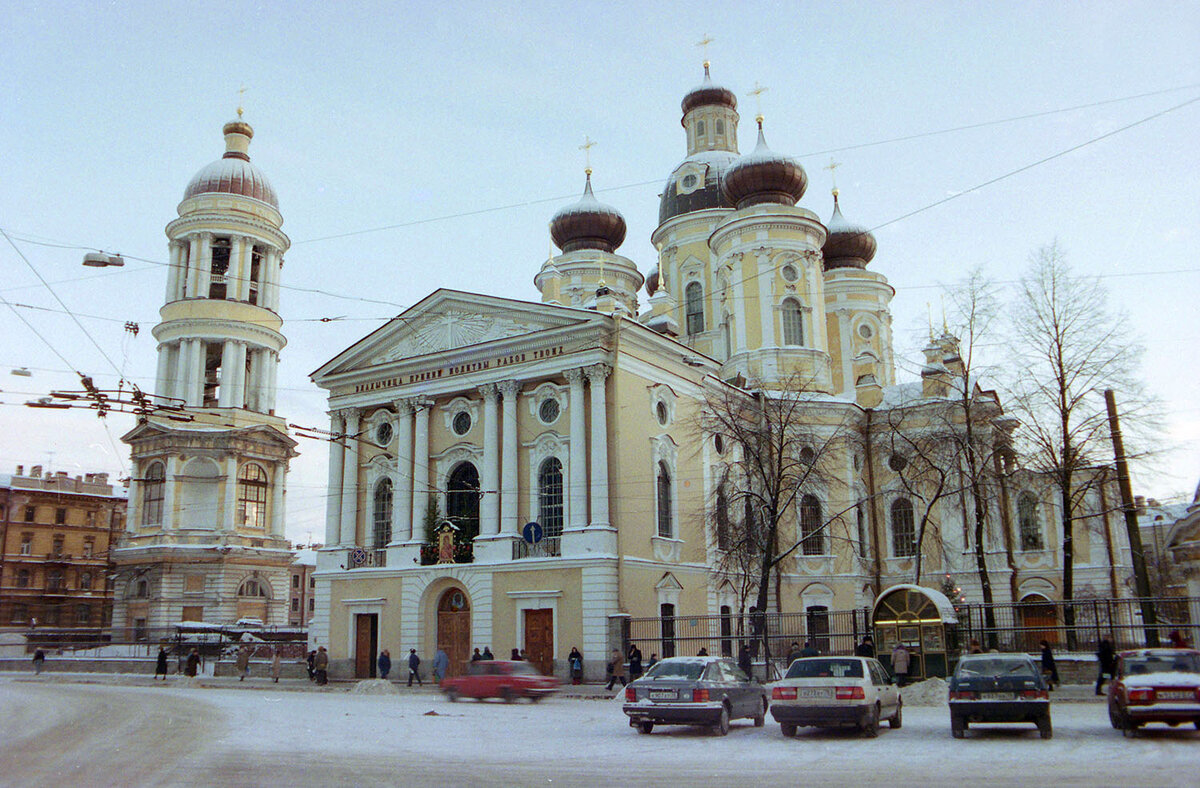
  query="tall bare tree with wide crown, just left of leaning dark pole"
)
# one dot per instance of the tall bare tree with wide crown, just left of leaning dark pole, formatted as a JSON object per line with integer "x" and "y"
{"x": 1072, "y": 348}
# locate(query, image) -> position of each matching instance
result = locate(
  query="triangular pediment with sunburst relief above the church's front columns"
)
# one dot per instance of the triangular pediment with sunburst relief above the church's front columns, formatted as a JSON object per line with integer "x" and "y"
{"x": 449, "y": 321}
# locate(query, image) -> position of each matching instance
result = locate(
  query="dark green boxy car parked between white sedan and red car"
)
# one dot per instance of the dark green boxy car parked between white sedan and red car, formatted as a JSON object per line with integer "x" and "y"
{"x": 999, "y": 688}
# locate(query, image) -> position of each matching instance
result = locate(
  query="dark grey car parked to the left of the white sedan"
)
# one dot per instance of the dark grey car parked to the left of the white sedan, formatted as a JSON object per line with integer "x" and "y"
{"x": 695, "y": 691}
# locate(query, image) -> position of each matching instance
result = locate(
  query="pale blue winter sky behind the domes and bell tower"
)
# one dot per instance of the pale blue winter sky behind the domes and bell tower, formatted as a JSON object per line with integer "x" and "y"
{"x": 459, "y": 133}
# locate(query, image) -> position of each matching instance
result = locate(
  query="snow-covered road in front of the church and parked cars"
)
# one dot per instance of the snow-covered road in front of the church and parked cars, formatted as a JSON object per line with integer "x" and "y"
{"x": 53, "y": 733}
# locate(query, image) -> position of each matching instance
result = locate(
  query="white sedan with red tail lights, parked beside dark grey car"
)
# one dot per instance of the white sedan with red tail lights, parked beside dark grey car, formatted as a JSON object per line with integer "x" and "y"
{"x": 829, "y": 693}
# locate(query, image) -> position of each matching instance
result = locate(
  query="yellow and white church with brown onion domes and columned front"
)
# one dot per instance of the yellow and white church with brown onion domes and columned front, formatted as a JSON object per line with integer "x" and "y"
{"x": 472, "y": 425}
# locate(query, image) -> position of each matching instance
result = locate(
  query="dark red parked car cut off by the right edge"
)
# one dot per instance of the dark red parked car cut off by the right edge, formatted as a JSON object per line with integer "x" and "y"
{"x": 1155, "y": 685}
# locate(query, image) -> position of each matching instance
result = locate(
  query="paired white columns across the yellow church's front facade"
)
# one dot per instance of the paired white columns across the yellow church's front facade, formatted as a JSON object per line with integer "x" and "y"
{"x": 499, "y": 477}
